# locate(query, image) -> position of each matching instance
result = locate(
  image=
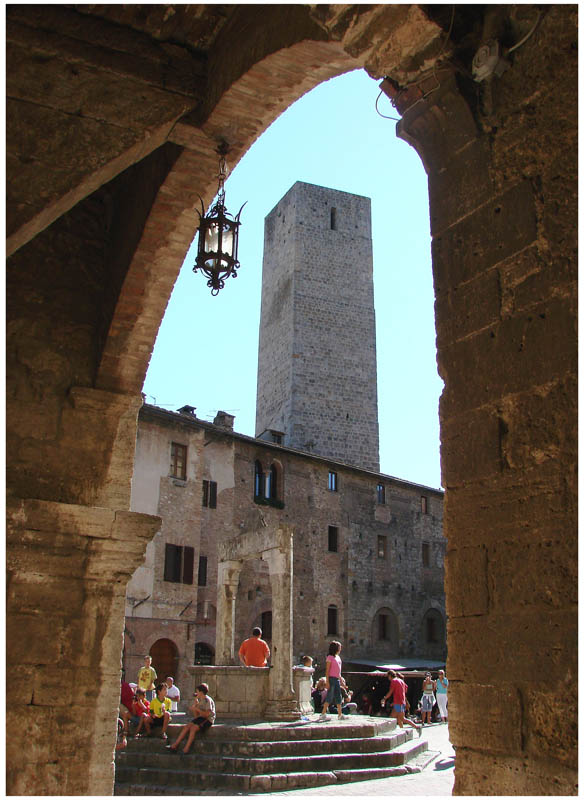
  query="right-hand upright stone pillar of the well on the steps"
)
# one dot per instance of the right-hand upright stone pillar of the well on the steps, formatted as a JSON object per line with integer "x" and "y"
{"x": 282, "y": 702}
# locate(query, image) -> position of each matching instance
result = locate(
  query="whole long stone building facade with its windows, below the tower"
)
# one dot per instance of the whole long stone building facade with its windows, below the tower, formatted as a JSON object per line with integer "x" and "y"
{"x": 368, "y": 549}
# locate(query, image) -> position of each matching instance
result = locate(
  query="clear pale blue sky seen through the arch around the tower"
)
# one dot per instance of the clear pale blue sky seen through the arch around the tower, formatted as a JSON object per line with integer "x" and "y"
{"x": 206, "y": 351}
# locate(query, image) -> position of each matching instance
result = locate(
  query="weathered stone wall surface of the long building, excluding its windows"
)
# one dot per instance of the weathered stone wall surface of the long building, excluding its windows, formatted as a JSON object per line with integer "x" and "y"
{"x": 354, "y": 579}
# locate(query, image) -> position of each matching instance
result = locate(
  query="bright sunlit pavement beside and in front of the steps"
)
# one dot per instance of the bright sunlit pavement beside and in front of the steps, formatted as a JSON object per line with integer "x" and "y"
{"x": 436, "y": 780}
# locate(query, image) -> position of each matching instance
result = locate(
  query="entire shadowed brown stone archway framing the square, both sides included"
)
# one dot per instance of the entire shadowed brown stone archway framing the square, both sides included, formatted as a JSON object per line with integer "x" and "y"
{"x": 92, "y": 93}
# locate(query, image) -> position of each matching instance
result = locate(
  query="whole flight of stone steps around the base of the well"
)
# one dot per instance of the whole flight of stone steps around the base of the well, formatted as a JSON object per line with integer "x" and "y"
{"x": 249, "y": 758}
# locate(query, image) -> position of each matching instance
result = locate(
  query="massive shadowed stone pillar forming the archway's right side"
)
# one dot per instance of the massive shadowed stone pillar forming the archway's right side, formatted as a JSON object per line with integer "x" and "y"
{"x": 503, "y": 214}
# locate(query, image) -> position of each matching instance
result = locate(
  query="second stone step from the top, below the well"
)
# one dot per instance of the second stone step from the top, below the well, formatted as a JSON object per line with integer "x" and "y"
{"x": 136, "y": 749}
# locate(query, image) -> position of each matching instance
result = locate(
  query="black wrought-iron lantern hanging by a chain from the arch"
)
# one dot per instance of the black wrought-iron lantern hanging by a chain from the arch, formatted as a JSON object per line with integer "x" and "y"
{"x": 218, "y": 237}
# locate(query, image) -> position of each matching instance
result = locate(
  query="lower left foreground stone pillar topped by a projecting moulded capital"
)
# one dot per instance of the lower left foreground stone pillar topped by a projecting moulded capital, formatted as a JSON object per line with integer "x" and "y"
{"x": 67, "y": 570}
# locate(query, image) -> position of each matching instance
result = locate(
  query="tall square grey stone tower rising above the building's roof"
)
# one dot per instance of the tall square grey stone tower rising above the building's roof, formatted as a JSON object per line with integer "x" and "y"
{"x": 317, "y": 370}
